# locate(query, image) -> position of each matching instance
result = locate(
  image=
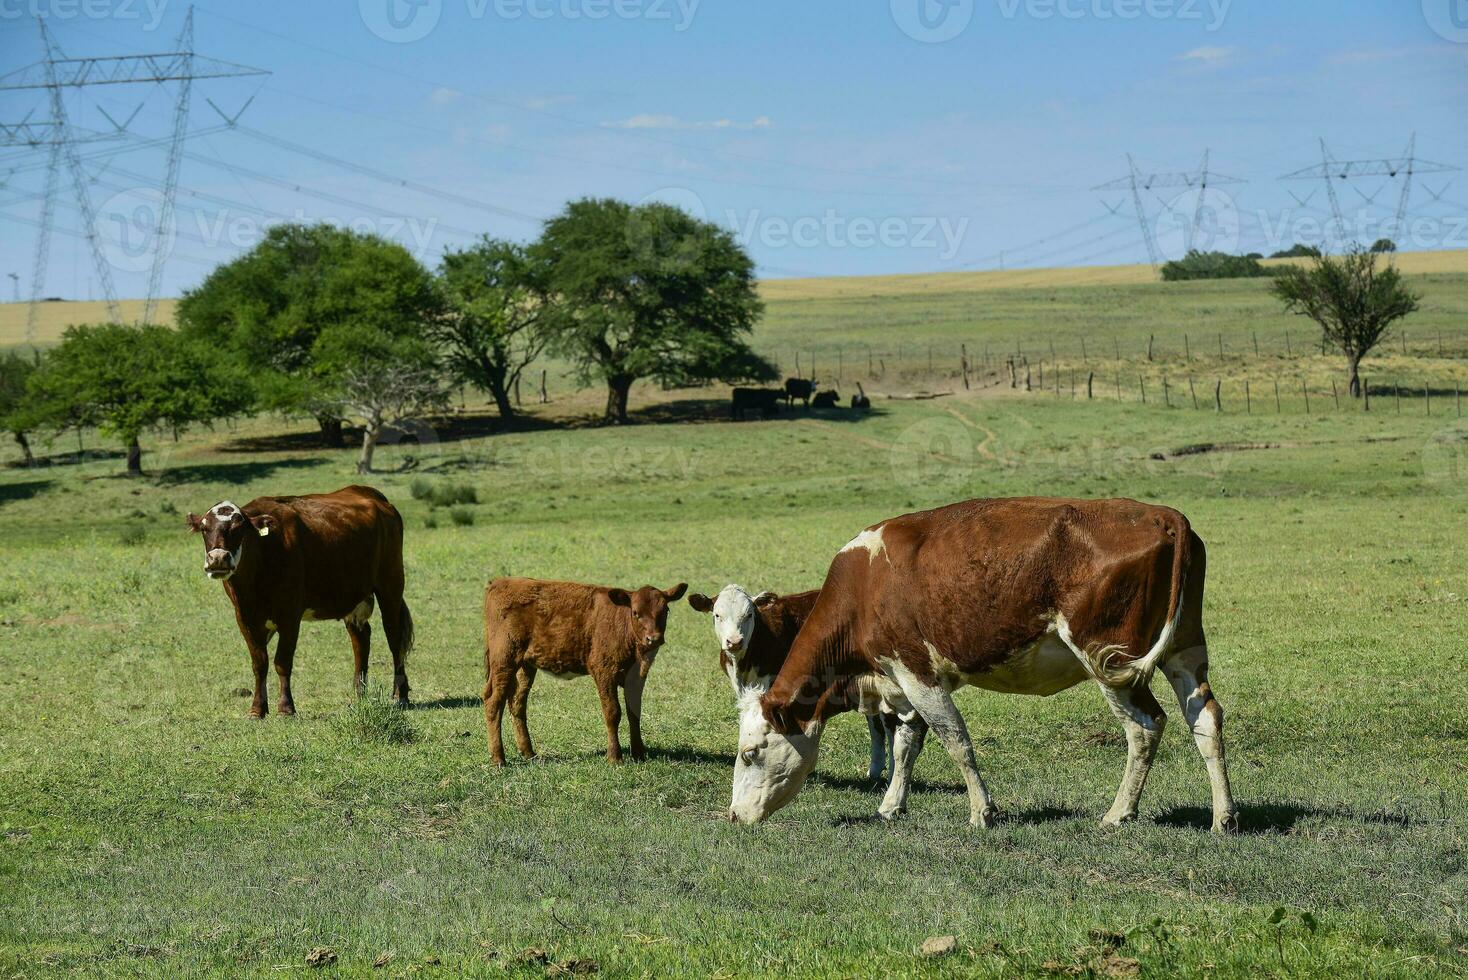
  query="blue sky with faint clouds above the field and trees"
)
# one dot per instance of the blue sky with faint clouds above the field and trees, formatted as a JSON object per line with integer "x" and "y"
{"x": 829, "y": 137}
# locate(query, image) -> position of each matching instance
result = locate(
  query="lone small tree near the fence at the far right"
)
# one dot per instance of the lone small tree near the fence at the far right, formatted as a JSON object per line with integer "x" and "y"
{"x": 1351, "y": 300}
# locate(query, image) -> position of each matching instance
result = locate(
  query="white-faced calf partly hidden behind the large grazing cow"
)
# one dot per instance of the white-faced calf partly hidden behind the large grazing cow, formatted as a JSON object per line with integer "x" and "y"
{"x": 755, "y": 636}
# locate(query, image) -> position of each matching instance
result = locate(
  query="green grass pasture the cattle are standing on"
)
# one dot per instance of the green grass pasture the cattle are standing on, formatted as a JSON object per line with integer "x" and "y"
{"x": 149, "y": 828}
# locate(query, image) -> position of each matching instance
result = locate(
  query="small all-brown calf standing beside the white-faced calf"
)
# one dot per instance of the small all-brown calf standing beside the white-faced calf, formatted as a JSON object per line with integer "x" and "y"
{"x": 570, "y": 630}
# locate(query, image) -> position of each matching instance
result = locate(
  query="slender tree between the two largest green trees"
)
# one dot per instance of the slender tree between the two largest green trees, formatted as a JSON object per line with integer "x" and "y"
{"x": 494, "y": 321}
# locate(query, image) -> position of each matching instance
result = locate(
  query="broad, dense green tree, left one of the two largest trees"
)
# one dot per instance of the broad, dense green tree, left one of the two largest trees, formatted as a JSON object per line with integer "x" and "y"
{"x": 300, "y": 309}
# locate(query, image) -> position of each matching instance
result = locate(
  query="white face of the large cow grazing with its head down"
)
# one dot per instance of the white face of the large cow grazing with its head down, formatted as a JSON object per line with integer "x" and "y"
{"x": 771, "y": 768}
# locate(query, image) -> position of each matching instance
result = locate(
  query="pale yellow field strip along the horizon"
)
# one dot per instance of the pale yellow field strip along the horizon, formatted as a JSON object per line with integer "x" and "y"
{"x": 58, "y": 316}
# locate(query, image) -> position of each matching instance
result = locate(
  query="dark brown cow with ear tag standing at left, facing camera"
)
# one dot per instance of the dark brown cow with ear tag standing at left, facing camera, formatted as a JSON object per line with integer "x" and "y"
{"x": 316, "y": 557}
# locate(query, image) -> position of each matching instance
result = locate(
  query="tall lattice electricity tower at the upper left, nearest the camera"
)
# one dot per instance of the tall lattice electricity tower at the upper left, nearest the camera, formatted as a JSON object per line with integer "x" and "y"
{"x": 55, "y": 77}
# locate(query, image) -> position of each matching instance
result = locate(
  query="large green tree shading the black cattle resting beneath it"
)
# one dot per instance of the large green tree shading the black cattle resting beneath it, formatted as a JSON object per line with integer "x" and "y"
{"x": 650, "y": 293}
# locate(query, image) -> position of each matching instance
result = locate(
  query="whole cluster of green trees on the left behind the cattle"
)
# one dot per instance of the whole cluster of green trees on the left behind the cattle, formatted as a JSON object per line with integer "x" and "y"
{"x": 319, "y": 322}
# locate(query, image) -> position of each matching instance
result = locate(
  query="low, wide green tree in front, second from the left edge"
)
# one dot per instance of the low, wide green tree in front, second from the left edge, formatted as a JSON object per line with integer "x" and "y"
{"x": 128, "y": 381}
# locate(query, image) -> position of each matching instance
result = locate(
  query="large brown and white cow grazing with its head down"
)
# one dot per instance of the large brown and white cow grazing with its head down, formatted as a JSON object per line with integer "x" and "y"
{"x": 1024, "y": 596}
